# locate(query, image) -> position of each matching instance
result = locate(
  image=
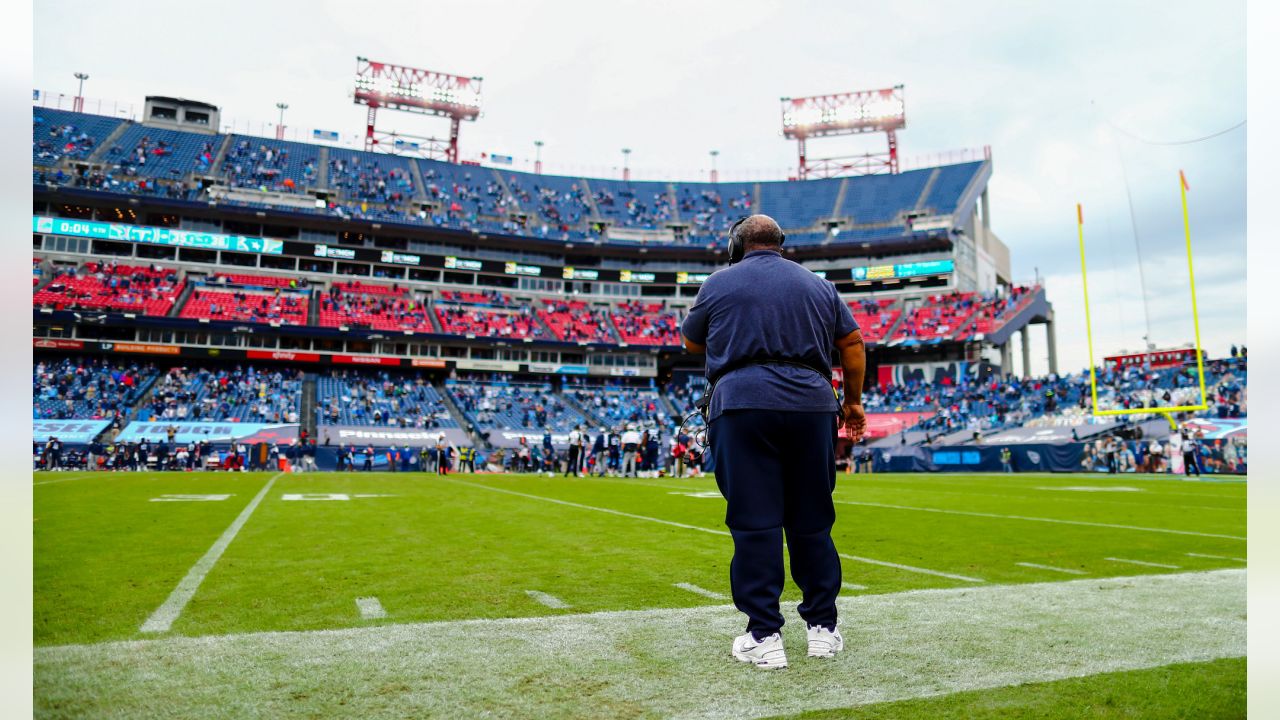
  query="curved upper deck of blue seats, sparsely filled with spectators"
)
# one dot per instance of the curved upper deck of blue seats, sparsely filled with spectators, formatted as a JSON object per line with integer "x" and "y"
{"x": 121, "y": 157}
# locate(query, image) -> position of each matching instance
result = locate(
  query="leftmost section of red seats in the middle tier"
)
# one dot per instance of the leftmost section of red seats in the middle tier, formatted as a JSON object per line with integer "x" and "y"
{"x": 112, "y": 286}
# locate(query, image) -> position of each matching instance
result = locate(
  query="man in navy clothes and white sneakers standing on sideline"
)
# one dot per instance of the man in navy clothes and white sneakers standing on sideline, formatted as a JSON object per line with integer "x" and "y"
{"x": 770, "y": 329}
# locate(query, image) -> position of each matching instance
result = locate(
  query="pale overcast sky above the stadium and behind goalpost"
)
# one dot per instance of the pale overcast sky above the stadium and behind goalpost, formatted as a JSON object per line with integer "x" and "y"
{"x": 1071, "y": 99}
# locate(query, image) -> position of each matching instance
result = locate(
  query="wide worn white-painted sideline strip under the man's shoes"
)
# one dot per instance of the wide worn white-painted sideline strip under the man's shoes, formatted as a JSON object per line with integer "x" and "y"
{"x": 664, "y": 663}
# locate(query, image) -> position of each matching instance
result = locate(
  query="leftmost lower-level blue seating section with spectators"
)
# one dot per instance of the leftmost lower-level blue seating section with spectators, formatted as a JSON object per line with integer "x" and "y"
{"x": 88, "y": 389}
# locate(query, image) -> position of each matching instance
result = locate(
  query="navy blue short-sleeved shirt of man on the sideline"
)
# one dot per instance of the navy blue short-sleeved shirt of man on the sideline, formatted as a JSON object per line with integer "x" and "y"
{"x": 769, "y": 307}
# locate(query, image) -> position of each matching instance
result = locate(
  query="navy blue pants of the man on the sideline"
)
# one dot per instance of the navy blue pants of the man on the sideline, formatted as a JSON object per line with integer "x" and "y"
{"x": 778, "y": 472}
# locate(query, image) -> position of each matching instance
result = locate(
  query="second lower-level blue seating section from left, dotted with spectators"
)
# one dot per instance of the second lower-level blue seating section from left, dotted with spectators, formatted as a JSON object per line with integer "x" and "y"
{"x": 236, "y": 395}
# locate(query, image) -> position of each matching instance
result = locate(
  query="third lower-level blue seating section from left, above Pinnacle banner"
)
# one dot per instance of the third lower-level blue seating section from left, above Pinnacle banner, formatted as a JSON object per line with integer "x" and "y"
{"x": 356, "y": 398}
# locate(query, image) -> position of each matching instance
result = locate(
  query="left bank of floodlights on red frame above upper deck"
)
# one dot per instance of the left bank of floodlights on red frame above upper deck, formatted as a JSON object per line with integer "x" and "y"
{"x": 414, "y": 90}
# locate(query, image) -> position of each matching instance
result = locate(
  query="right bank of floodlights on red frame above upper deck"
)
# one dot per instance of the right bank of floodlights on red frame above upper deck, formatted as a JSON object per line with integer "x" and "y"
{"x": 845, "y": 113}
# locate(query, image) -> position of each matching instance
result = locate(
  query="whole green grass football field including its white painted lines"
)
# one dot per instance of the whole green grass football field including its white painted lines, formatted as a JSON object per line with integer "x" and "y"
{"x": 967, "y": 596}
